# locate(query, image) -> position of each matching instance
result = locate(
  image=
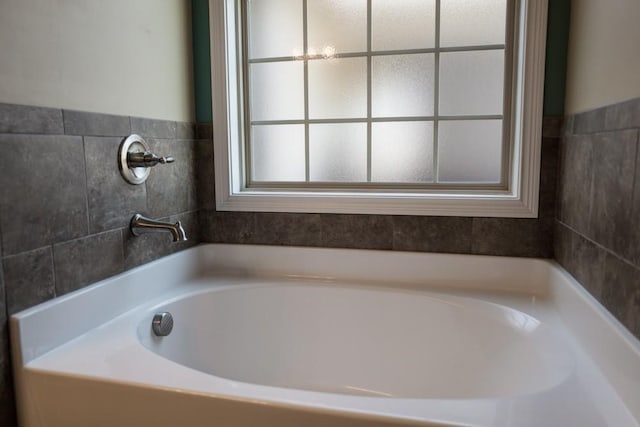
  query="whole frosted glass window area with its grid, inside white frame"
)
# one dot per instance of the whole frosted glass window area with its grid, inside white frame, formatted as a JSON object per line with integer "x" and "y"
{"x": 361, "y": 103}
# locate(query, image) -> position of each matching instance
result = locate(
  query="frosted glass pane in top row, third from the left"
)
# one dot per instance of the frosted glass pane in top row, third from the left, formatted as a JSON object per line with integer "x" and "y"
{"x": 402, "y": 24}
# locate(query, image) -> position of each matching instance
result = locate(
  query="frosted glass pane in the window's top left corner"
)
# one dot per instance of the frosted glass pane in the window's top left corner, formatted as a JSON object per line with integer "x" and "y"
{"x": 275, "y": 28}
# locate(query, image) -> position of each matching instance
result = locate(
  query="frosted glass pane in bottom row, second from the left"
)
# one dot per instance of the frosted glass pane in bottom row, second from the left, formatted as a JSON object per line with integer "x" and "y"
{"x": 338, "y": 152}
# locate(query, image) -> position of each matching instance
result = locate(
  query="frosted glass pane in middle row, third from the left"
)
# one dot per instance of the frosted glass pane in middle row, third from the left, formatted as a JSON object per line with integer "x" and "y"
{"x": 402, "y": 85}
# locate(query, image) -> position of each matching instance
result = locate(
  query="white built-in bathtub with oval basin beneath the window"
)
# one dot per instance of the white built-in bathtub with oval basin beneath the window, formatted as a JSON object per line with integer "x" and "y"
{"x": 280, "y": 336}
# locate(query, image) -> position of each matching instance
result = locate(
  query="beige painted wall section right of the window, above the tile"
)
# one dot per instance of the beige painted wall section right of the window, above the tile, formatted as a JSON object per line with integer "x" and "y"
{"x": 604, "y": 53}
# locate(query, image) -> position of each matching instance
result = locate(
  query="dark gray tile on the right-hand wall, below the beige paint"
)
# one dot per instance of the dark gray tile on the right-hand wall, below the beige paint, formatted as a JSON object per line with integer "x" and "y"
{"x": 597, "y": 236}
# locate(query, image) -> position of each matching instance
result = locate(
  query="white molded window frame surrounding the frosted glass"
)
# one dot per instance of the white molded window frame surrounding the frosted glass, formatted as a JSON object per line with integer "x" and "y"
{"x": 519, "y": 201}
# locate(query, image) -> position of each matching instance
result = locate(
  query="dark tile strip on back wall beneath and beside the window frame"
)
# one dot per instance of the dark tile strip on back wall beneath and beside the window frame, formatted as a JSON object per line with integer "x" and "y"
{"x": 492, "y": 236}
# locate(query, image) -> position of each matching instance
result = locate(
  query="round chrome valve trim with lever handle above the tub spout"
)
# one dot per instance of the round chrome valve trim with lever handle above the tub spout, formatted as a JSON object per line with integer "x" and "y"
{"x": 135, "y": 159}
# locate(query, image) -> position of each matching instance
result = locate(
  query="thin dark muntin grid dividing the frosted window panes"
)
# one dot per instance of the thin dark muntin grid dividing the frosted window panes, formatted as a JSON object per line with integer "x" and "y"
{"x": 434, "y": 185}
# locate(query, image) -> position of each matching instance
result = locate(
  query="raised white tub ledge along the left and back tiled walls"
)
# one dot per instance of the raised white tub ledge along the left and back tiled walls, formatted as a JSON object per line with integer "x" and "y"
{"x": 222, "y": 258}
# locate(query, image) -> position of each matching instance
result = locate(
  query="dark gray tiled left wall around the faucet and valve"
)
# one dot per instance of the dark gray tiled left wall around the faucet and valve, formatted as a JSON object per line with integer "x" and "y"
{"x": 64, "y": 208}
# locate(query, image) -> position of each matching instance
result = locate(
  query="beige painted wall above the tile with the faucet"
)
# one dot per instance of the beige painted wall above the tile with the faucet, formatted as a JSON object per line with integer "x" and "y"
{"x": 128, "y": 57}
